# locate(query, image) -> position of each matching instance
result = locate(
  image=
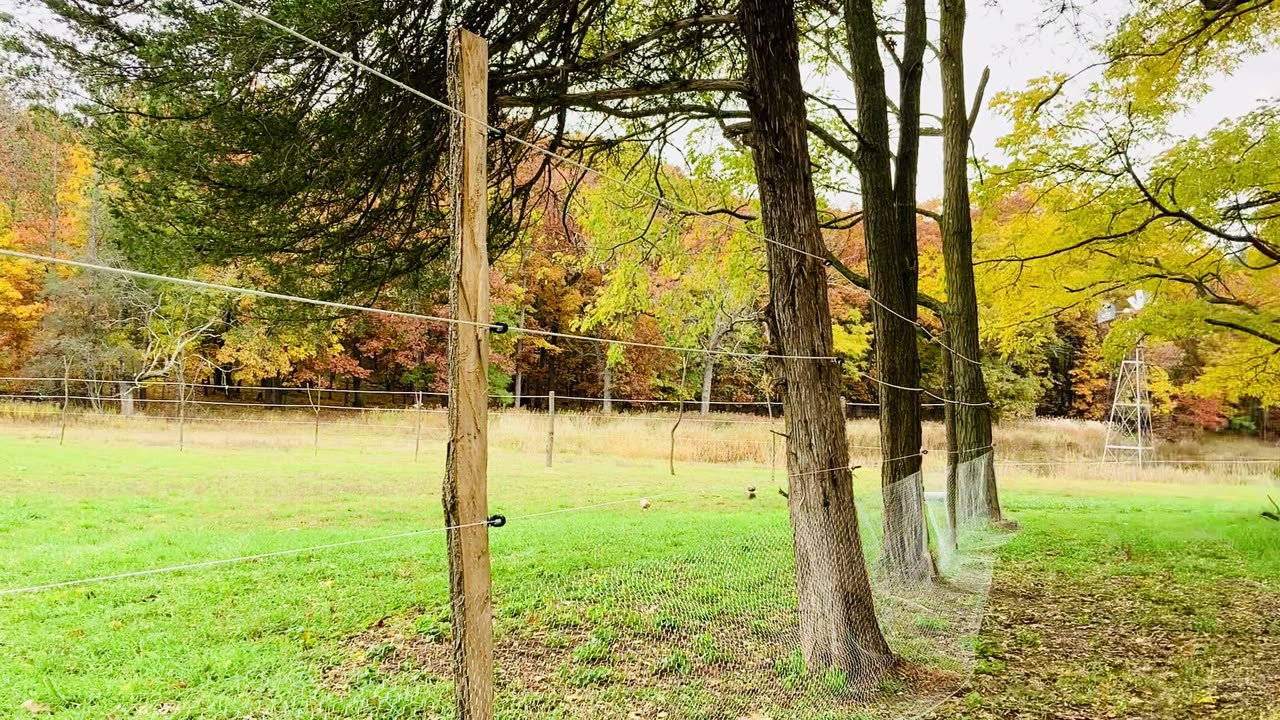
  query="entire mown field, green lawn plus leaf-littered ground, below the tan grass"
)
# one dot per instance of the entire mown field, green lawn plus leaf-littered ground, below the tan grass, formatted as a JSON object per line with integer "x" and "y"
{"x": 1151, "y": 598}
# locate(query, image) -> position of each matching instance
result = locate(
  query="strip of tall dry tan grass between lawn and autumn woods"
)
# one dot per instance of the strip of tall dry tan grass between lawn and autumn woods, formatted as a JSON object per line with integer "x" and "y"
{"x": 1031, "y": 449}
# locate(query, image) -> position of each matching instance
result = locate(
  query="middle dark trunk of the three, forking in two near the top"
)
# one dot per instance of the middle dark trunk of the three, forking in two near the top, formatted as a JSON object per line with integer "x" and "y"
{"x": 892, "y": 263}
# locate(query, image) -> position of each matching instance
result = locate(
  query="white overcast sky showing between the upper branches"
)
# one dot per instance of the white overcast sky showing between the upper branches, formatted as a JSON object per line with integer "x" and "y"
{"x": 1008, "y": 38}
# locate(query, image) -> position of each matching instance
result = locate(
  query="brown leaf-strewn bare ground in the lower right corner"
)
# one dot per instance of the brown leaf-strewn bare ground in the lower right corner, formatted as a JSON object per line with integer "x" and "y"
{"x": 1140, "y": 648}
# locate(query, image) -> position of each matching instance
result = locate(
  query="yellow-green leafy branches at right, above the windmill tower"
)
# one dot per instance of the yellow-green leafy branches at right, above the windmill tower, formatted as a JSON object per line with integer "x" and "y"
{"x": 1103, "y": 198}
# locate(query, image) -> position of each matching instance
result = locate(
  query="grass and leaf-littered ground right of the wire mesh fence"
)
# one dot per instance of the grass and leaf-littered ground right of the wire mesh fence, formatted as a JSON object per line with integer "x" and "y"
{"x": 1132, "y": 601}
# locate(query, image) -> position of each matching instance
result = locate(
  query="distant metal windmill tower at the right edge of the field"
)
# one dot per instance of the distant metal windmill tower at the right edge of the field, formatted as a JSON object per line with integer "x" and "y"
{"x": 1130, "y": 438}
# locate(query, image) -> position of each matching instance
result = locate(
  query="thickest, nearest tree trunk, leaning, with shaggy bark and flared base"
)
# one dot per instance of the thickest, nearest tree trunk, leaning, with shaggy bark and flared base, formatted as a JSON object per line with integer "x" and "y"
{"x": 838, "y": 618}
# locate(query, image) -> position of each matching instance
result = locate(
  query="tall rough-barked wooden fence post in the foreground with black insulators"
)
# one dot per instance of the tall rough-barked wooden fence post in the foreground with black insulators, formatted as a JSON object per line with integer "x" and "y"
{"x": 467, "y": 477}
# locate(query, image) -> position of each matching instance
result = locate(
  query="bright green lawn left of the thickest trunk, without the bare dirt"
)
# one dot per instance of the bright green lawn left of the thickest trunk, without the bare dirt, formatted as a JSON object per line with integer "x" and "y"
{"x": 257, "y": 639}
